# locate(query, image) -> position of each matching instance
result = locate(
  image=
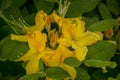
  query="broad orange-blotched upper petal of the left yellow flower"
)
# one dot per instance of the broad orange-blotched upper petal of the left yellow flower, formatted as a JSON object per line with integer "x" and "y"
{"x": 37, "y": 40}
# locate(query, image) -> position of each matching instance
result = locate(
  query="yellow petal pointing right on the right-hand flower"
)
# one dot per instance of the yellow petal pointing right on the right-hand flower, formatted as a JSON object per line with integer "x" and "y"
{"x": 88, "y": 38}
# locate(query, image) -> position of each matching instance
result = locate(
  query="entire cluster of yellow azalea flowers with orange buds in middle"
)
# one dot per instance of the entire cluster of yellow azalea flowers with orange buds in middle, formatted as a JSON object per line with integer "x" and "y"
{"x": 54, "y": 38}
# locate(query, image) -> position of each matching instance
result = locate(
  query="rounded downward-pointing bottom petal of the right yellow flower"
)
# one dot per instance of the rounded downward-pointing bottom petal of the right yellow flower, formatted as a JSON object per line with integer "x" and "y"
{"x": 80, "y": 52}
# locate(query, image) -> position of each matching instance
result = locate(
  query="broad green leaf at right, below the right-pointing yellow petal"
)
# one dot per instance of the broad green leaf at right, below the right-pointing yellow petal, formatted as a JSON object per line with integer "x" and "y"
{"x": 102, "y": 50}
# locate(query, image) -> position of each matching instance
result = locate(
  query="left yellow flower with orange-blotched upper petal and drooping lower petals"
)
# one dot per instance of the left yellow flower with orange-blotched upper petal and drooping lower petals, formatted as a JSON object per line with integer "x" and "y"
{"x": 37, "y": 42}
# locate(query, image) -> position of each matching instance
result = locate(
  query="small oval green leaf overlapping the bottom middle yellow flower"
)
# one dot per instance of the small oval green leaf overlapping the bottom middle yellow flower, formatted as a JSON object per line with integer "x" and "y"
{"x": 72, "y": 61}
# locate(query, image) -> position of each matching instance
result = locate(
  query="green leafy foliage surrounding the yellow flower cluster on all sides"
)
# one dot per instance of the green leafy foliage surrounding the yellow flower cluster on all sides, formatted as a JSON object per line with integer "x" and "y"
{"x": 99, "y": 15}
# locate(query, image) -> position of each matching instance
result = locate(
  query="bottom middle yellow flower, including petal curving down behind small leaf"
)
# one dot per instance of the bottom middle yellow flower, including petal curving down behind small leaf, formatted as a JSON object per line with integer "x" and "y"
{"x": 57, "y": 58}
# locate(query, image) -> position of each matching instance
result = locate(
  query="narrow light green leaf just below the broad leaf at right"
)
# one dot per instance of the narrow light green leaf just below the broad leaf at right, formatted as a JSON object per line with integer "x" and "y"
{"x": 97, "y": 63}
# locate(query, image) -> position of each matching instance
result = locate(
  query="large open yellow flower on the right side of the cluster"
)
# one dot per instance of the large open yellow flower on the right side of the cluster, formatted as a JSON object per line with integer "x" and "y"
{"x": 74, "y": 35}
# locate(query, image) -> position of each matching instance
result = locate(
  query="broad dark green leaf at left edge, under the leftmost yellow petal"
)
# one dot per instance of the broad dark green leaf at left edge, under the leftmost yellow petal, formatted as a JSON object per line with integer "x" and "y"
{"x": 12, "y": 50}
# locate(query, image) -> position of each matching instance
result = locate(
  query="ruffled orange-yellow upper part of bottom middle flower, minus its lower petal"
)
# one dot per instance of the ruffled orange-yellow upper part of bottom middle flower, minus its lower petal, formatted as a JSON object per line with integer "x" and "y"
{"x": 56, "y": 58}
